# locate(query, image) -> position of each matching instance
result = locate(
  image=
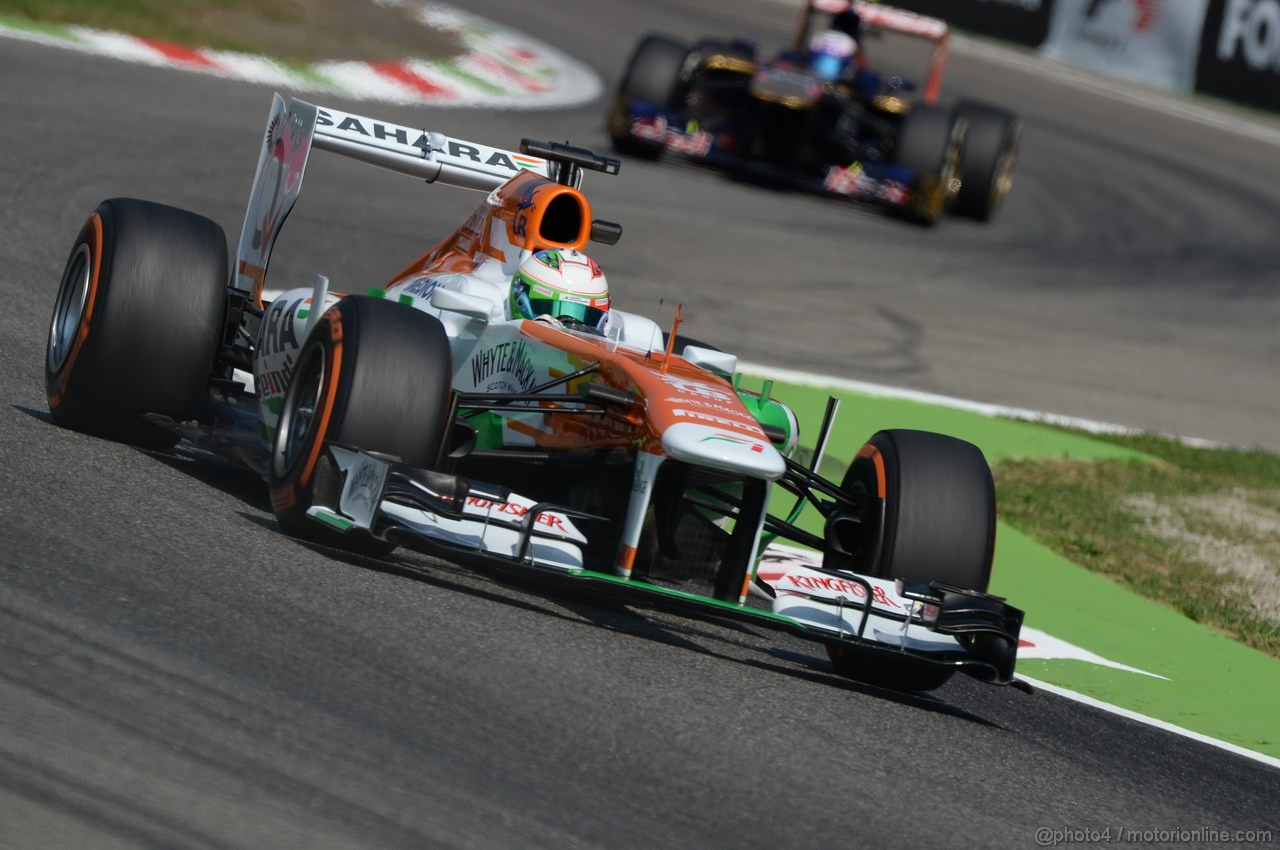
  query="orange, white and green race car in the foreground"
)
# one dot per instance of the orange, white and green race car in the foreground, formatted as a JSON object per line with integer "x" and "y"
{"x": 474, "y": 412}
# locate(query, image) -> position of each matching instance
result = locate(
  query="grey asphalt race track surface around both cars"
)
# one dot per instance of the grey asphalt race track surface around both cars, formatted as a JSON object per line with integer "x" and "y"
{"x": 175, "y": 673}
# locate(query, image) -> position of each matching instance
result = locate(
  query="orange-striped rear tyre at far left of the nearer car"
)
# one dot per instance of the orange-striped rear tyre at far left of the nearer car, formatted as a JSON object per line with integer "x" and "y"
{"x": 138, "y": 322}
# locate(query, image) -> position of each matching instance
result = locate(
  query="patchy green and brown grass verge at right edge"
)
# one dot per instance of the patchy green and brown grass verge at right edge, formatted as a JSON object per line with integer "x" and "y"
{"x": 1197, "y": 529}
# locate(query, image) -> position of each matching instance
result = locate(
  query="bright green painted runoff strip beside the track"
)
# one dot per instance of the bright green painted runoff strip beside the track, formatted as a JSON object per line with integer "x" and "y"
{"x": 1213, "y": 686}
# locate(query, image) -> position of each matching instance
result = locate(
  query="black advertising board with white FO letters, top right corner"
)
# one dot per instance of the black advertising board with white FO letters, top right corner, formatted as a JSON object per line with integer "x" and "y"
{"x": 1240, "y": 56}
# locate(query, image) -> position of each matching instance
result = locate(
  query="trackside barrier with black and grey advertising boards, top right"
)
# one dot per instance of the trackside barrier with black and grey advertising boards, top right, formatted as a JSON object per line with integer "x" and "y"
{"x": 1228, "y": 49}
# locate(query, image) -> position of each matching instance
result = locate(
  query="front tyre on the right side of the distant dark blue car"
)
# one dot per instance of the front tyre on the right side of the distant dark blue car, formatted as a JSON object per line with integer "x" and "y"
{"x": 931, "y": 143}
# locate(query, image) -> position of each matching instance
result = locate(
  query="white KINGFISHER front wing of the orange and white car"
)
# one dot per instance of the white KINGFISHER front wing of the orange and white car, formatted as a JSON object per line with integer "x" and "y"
{"x": 491, "y": 527}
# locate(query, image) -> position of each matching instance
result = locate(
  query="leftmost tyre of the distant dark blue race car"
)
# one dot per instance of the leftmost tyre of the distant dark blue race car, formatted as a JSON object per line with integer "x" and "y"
{"x": 655, "y": 75}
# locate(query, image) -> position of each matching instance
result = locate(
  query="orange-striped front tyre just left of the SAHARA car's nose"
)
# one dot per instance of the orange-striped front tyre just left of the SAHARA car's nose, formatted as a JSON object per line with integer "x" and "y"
{"x": 373, "y": 376}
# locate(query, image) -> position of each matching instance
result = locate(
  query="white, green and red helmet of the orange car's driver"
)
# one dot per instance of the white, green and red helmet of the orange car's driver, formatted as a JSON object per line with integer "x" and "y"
{"x": 564, "y": 285}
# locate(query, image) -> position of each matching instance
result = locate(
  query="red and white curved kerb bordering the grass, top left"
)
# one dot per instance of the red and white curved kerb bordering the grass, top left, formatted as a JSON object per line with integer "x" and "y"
{"x": 499, "y": 67}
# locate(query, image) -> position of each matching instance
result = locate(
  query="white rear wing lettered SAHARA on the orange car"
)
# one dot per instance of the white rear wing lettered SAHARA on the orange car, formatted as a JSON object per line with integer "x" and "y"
{"x": 295, "y": 129}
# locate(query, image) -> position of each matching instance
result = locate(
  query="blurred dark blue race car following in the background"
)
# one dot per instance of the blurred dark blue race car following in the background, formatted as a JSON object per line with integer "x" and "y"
{"x": 819, "y": 117}
